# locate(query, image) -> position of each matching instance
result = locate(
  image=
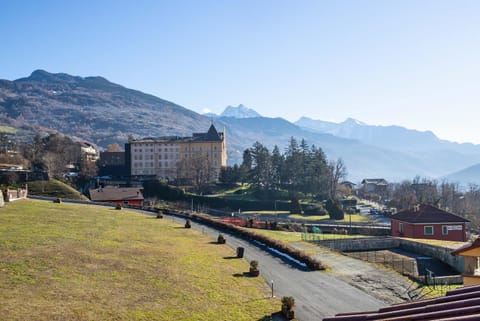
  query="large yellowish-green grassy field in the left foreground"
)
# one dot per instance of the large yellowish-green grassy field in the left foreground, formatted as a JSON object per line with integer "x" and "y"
{"x": 75, "y": 262}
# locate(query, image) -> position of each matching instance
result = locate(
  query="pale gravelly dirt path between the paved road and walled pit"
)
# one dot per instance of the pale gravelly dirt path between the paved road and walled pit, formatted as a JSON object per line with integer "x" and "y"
{"x": 376, "y": 280}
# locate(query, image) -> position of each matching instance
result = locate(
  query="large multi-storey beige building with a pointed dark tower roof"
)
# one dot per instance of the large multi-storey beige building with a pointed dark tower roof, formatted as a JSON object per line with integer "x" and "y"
{"x": 196, "y": 159}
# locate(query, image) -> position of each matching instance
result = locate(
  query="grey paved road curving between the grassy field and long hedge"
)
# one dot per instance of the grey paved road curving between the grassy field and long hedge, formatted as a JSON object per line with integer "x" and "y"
{"x": 317, "y": 294}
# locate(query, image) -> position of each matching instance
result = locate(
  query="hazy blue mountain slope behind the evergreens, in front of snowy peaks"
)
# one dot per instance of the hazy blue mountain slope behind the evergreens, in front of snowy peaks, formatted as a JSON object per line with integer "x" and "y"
{"x": 361, "y": 160}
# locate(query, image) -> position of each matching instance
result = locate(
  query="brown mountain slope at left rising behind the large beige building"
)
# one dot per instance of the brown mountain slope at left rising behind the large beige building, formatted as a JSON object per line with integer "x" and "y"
{"x": 92, "y": 108}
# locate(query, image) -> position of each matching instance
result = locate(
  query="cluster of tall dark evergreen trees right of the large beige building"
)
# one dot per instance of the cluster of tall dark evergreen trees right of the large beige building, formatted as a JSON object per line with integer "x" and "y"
{"x": 301, "y": 170}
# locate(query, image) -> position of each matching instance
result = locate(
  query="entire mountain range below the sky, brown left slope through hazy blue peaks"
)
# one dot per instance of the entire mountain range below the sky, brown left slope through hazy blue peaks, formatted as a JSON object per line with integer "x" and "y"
{"x": 101, "y": 112}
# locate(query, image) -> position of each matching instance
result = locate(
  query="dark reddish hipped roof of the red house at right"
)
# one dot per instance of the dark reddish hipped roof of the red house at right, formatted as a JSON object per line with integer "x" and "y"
{"x": 427, "y": 214}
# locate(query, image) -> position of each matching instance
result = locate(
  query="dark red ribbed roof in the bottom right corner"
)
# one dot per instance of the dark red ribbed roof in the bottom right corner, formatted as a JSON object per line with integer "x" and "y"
{"x": 459, "y": 304}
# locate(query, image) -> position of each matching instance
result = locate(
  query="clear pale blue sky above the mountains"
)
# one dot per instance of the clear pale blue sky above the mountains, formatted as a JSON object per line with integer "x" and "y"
{"x": 392, "y": 62}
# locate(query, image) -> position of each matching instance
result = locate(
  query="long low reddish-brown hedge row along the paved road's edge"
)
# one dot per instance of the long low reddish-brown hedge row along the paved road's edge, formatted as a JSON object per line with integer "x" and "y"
{"x": 301, "y": 256}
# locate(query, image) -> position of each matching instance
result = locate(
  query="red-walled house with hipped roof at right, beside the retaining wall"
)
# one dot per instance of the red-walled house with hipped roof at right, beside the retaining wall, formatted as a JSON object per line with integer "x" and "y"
{"x": 428, "y": 222}
